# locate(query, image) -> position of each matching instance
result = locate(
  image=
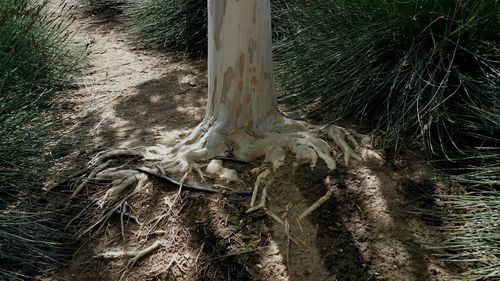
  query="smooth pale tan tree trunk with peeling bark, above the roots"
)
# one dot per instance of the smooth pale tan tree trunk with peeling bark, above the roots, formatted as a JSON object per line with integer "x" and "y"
{"x": 240, "y": 72}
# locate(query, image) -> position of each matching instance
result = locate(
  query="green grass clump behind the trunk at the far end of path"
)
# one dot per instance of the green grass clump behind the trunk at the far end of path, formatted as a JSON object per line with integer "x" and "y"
{"x": 181, "y": 25}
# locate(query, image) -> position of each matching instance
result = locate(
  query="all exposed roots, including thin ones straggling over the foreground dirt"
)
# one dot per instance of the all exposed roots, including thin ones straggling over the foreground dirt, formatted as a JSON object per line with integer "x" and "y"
{"x": 270, "y": 142}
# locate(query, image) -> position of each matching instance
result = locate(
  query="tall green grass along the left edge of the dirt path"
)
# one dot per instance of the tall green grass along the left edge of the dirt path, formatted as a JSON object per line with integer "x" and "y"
{"x": 35, "y": 64}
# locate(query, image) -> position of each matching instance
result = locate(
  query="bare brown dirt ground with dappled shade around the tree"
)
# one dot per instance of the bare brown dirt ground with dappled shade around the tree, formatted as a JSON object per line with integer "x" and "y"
{"x": 368, "y": 230}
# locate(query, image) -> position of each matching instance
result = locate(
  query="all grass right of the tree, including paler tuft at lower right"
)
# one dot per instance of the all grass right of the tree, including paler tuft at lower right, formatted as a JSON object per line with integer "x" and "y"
{"x": 421, "y": 72}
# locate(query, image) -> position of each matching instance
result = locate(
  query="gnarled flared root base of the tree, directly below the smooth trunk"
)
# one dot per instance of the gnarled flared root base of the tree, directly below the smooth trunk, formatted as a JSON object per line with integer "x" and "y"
{"x": 270, "y": 142}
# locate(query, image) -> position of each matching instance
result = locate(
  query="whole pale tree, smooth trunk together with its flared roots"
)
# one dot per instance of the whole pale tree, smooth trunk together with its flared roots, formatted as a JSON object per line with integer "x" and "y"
{"x": 242, "y": 119}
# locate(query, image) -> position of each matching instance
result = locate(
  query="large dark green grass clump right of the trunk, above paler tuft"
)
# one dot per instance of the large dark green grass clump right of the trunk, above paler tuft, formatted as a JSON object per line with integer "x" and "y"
{"x": 425, "y": 68}
